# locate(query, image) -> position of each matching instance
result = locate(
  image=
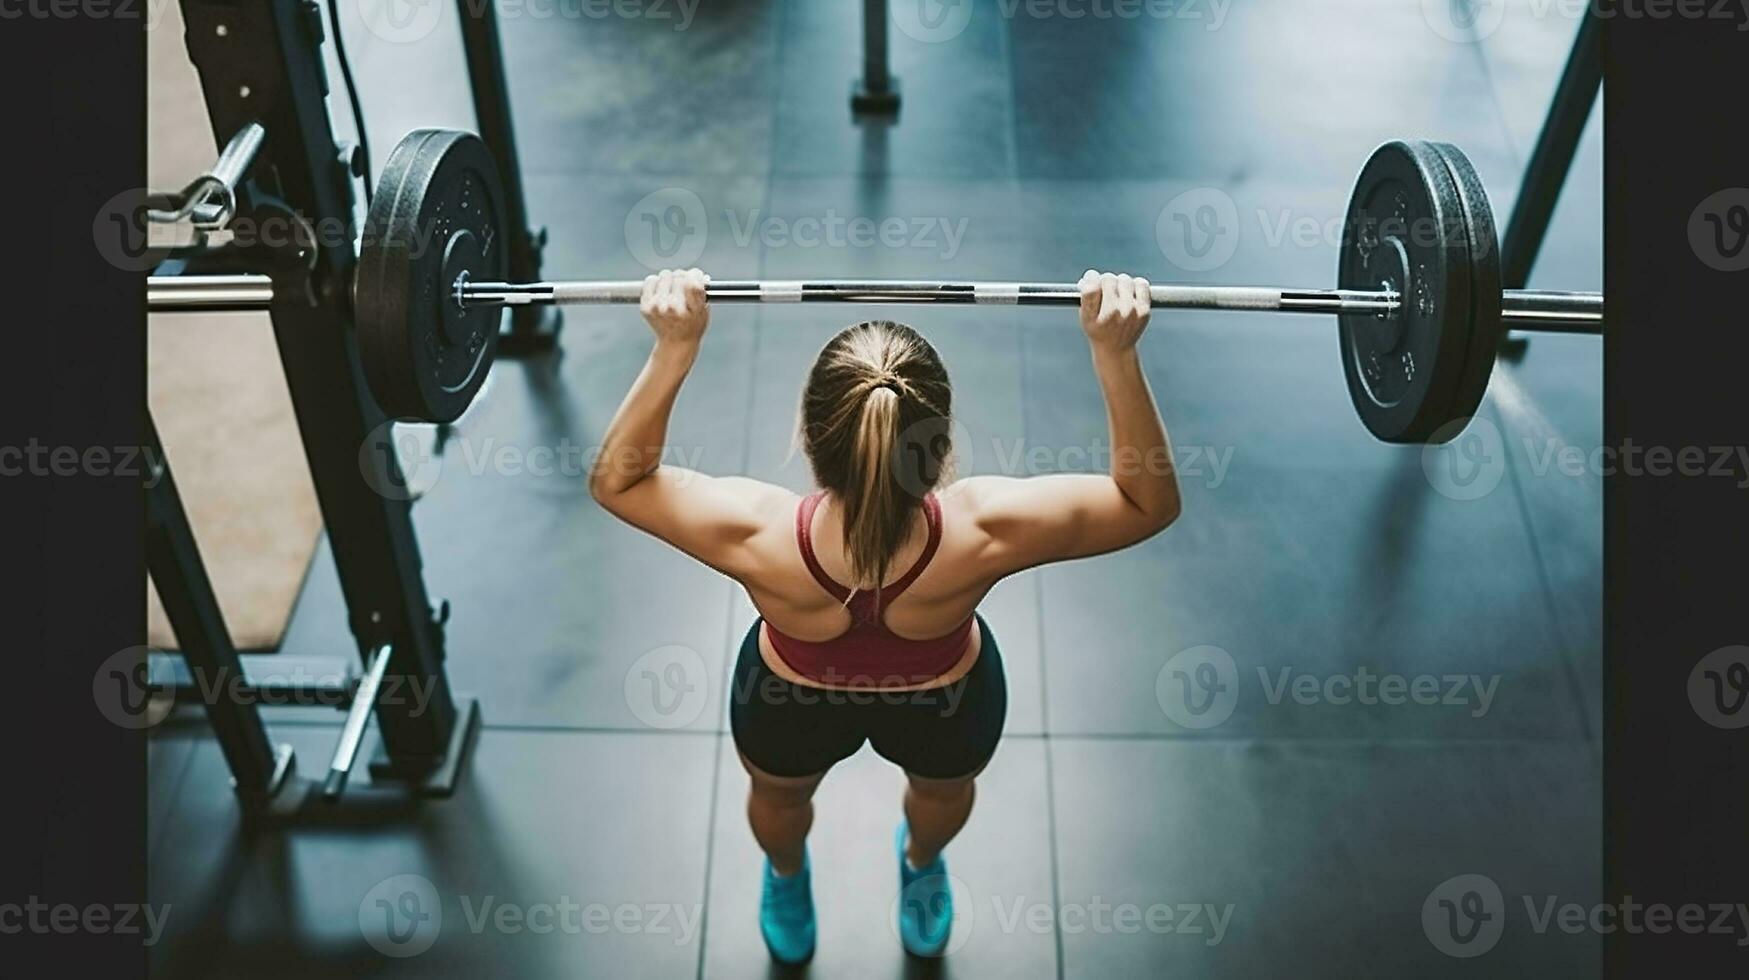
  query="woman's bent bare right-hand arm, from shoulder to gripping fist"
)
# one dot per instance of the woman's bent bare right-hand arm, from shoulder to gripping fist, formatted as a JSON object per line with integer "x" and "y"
{"x": 1059, "y": 517}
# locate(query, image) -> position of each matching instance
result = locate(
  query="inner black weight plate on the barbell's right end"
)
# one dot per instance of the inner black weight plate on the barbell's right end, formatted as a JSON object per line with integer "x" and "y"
{"x": 1405, "y": 234}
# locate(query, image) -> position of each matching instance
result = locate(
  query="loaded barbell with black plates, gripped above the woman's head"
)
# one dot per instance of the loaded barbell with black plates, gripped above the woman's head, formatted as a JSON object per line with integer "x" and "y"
{"x": 1418, "y": 298}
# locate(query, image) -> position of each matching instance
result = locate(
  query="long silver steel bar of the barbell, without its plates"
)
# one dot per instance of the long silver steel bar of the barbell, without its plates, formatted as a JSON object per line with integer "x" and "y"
{"x": 1521, "y": 309}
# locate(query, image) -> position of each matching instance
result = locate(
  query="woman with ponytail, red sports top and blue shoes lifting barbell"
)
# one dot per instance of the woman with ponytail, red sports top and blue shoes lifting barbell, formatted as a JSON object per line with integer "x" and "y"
{"x": 868, "y": 589}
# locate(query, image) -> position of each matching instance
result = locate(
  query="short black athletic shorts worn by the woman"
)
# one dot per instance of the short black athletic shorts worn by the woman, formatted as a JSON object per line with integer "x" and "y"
{"x": 795, "y": 731}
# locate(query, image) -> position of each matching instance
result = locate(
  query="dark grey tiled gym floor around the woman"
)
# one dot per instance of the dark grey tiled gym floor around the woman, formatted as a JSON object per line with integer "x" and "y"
{"x": 1311, "y": 836}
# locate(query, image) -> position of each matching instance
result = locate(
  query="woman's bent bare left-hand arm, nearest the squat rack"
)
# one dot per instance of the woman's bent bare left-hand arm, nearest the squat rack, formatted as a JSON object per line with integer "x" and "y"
{"x": 711, "y": 519}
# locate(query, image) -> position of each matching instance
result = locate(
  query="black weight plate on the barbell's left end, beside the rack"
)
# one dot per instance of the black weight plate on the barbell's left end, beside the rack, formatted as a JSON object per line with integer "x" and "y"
{"x": 436, "y": 214}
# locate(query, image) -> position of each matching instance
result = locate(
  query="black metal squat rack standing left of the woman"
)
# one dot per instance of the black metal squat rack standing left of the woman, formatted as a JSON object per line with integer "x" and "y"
{"x": 265, "y": 85}
